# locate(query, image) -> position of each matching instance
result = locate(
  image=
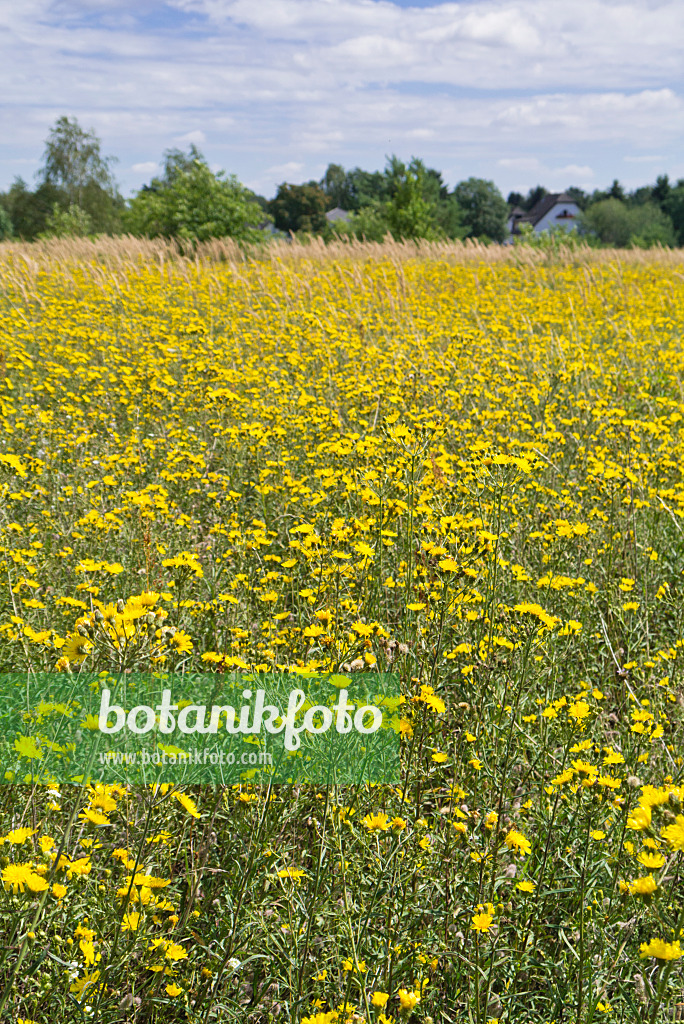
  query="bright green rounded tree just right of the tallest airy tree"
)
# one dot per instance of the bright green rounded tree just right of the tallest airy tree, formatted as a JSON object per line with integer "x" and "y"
{"x": 191, "y": 202}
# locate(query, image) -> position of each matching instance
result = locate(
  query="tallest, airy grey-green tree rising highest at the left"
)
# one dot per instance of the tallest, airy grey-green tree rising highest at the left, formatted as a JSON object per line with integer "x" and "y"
{"x": 75, "y": 167}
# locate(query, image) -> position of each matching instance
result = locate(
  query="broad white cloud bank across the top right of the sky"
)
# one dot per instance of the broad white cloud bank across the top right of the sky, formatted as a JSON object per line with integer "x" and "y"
{"x": 478, "y": 44}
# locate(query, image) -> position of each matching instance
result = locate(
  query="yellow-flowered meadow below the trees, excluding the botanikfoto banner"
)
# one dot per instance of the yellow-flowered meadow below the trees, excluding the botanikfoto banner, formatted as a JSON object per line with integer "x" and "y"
{"x": 459, "y": 464}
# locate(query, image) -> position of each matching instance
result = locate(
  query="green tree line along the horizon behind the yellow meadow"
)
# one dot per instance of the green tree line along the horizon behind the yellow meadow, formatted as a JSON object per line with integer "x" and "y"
{"x": 76, "y": 194}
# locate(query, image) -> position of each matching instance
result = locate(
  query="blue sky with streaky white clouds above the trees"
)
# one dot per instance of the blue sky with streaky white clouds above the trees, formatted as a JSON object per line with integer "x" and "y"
{"x": 558, "y": 93}
